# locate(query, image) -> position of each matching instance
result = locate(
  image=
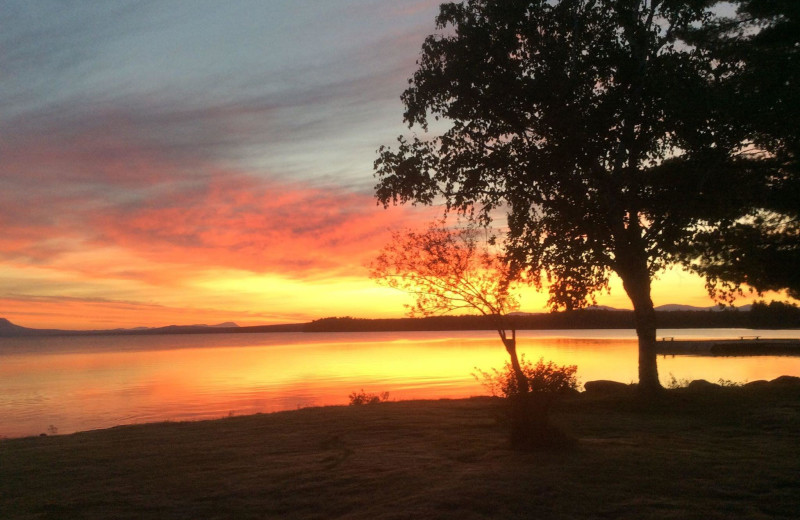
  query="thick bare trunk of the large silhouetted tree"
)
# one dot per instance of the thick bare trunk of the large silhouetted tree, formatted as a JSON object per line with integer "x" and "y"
{"x": 637, "y": 284}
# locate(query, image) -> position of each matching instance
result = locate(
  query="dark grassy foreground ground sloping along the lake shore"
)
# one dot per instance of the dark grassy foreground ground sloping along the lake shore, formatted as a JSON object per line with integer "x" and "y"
{"x": 705, "y": 454}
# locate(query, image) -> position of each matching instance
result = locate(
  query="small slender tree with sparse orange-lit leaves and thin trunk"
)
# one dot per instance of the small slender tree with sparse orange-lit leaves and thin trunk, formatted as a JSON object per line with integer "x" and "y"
{"x": 448, "y": 270}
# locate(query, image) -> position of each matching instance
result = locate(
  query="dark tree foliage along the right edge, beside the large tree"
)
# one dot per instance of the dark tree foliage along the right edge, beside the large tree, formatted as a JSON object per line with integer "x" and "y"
{"x": 761, "y": 249}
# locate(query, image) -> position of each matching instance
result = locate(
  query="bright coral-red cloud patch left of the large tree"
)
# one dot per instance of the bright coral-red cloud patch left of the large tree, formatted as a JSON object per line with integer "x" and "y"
{"x": 243, "y": 222}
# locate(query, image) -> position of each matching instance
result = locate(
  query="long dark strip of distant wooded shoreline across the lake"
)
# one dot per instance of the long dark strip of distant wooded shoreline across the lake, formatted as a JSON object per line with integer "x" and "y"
{"x": 775, "y": 315}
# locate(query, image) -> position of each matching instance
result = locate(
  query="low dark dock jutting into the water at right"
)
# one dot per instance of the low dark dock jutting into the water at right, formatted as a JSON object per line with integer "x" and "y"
{"x": 743, "y": 346}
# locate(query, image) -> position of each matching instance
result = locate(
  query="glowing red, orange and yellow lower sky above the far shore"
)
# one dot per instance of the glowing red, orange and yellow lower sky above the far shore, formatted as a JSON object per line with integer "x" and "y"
{"x": 238, "y": 248}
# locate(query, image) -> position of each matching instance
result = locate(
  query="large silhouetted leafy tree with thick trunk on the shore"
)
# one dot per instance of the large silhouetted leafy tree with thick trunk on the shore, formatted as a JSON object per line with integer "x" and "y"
{"x": 608, "y": 139}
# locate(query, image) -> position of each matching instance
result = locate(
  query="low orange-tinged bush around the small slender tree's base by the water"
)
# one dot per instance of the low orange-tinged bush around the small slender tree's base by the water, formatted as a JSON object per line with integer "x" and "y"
{"x": 543, "y": 378}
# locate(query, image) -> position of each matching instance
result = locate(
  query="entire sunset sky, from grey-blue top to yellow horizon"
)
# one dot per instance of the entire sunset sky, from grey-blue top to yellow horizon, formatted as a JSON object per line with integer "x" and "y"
{"x": 204, "y": 161}
